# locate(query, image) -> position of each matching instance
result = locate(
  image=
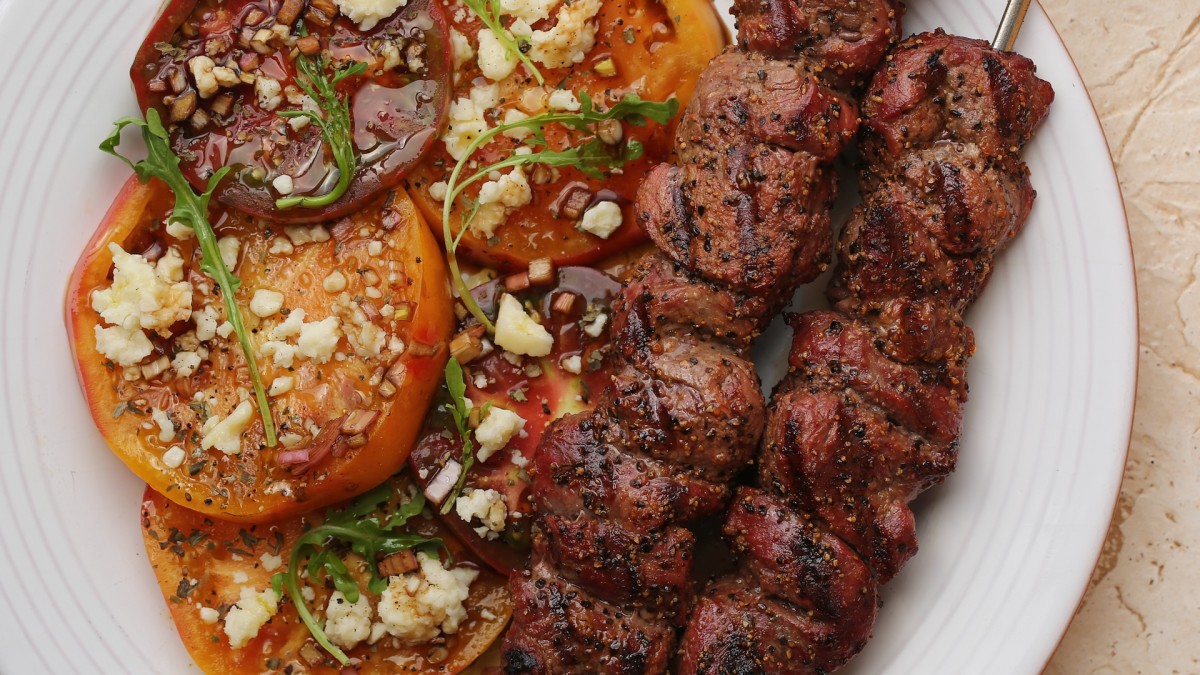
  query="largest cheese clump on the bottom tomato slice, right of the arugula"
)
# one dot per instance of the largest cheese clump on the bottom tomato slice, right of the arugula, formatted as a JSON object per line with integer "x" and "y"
{"x": 418, "y": 606}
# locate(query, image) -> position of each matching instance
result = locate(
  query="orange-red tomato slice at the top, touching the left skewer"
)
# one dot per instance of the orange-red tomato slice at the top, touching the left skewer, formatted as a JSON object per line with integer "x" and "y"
{"x": 656, "y": 49}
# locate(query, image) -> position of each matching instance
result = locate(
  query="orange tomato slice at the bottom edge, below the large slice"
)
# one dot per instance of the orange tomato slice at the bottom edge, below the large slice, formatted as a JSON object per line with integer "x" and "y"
{"x": 202, "y": 565}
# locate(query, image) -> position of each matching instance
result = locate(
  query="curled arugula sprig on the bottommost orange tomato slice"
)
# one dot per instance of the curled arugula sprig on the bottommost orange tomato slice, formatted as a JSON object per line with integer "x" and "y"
{"x": 370, "y": 536}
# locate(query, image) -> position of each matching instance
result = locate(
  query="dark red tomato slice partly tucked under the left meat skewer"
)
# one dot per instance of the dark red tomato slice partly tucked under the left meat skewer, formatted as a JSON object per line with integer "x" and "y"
{"x": 541, "y": 391}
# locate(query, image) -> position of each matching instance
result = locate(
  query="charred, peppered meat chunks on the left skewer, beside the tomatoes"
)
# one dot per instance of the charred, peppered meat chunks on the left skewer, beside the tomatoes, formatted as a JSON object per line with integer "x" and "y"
{"x": 740, "y": 222}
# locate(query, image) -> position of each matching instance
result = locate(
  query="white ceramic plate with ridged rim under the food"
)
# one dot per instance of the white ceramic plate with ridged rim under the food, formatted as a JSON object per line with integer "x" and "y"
{"x": 1007, "y": 545}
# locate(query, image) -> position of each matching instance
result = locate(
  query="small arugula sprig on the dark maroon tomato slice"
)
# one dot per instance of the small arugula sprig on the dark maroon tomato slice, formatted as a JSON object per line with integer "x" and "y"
{"x": 335, "y": 126}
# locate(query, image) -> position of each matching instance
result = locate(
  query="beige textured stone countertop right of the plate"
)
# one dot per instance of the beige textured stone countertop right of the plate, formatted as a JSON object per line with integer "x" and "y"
{"x": 1141, "y": 61}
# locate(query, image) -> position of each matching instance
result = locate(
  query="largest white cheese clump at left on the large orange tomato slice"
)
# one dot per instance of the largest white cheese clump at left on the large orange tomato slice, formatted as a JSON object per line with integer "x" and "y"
{"x": 142, "y": 297}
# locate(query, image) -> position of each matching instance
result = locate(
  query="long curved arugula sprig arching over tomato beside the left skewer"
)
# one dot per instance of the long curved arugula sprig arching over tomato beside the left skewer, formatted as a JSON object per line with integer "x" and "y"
{"x": 591, "y": 157}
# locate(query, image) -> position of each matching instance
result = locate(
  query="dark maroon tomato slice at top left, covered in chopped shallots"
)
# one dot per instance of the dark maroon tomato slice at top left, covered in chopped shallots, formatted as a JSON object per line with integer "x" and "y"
{"x": 395, "y": 110}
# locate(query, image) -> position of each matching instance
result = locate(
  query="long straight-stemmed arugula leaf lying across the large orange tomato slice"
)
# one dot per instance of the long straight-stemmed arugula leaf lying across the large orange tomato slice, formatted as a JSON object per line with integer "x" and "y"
{"x": 193, "y": 211}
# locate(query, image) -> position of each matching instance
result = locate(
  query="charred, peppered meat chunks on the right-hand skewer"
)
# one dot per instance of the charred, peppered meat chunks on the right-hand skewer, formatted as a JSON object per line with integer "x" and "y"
{"x": 871, "y": 413}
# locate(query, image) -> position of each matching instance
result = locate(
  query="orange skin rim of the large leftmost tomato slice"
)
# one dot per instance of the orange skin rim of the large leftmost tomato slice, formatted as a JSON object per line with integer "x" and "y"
{"x": 135, "y": 216}
